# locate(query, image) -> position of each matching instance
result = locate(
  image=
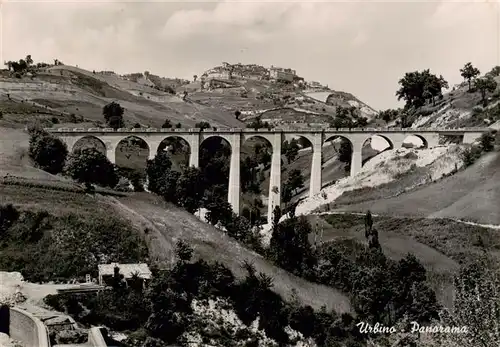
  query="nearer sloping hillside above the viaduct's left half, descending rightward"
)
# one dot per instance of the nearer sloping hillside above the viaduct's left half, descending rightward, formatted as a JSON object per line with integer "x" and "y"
{"x": 72, "y": 95}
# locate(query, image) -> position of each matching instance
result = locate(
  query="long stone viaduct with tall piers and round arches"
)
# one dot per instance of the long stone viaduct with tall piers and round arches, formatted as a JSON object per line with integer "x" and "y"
{"x": 110, "y": 139}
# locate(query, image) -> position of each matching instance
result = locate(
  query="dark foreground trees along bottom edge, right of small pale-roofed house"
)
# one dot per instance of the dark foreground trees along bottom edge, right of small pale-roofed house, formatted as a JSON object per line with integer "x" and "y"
{"x": 162, "y": 314}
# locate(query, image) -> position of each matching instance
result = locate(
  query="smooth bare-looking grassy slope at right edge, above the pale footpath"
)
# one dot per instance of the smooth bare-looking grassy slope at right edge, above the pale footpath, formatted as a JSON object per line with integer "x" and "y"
{"x": 472, "y": 194}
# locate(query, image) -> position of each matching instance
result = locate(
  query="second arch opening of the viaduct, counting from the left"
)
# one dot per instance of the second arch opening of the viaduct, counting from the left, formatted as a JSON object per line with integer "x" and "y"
{"x": 132, "y": 152}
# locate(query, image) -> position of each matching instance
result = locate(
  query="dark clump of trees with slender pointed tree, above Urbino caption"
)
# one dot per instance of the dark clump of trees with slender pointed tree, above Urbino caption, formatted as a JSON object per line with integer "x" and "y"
{"x": 381, "y": 290}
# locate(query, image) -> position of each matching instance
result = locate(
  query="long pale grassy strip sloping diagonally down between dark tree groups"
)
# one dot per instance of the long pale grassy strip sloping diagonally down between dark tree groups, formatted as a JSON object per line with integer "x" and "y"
{"x": 166, "y": 224}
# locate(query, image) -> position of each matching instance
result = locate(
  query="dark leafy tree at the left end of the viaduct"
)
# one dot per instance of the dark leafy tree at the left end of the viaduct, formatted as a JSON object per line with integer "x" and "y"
{"x": 48, "y": 152}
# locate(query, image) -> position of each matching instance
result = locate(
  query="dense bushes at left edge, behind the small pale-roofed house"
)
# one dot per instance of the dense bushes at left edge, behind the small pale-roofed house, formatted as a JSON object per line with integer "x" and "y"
{"x": 47, "y": 246}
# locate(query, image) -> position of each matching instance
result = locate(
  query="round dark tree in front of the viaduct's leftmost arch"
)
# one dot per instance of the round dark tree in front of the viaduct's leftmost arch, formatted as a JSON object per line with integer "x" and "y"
{"x": 89, "y": 166}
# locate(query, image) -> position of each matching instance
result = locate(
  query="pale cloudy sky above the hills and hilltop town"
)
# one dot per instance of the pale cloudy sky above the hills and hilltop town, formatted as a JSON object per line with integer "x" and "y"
{"x": 358, "y": 47}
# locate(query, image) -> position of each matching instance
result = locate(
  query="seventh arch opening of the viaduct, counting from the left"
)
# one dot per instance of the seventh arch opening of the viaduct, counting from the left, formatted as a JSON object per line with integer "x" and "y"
{"x": 336, "y": 164}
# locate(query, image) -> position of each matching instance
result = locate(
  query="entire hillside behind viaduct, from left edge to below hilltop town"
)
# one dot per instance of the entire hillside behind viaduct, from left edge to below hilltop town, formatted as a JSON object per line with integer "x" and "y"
{"x": 68, "y": 94}
